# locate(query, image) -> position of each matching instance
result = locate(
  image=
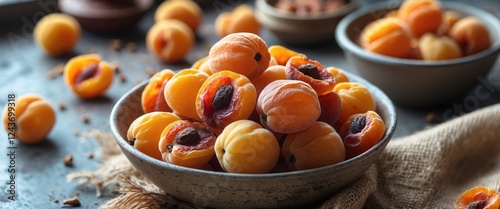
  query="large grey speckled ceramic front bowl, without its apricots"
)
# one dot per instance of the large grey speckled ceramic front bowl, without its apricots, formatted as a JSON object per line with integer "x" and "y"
{"x": 212, "y": 189}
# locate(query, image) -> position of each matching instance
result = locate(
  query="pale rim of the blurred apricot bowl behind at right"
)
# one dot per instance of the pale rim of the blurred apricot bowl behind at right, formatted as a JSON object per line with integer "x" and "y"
{"x": 348, "y": 45}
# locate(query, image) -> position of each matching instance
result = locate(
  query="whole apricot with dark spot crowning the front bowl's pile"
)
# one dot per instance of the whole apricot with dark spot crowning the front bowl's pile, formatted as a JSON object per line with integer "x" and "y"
{"x": 243, "y": 53}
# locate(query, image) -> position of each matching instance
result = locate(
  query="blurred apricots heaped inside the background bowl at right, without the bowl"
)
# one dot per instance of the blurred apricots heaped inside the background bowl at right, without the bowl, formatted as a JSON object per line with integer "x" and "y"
{"x": 424, "y": 30}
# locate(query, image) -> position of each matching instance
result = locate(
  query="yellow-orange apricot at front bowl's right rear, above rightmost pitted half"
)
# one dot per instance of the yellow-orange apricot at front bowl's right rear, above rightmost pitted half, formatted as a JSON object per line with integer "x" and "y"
{"x": 355, "y": 97}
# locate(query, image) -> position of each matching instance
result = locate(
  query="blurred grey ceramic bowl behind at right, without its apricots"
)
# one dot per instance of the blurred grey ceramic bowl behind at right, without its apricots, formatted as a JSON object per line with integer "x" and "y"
{"x": 417, "y": 83}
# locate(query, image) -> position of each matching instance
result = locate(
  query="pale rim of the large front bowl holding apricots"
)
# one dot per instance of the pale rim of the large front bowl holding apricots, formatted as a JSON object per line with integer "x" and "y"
{"x": 380, "y": 95}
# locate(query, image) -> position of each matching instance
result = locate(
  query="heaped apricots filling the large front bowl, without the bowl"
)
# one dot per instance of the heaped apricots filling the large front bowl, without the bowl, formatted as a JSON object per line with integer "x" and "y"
{"x": 249, "y": 108}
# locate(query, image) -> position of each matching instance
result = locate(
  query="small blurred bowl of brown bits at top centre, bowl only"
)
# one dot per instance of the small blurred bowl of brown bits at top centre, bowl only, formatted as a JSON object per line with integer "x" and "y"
{"x": 296, "y": 29}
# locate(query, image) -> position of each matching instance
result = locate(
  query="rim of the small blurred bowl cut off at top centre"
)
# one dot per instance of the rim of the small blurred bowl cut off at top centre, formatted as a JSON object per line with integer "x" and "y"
{"x": 267, "y": 8}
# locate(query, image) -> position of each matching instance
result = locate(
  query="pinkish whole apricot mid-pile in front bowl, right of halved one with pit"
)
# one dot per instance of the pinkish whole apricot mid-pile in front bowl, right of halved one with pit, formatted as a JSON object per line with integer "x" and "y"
{"x": 288, "y": 106}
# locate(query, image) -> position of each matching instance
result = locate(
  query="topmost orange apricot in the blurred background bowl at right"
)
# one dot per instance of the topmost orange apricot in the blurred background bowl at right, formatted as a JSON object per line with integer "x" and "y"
{"x": 421, "y": 16}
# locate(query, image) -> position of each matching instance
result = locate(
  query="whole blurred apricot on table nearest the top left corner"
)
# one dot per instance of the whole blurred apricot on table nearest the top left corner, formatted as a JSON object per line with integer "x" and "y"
{"x": 57, "y": 33}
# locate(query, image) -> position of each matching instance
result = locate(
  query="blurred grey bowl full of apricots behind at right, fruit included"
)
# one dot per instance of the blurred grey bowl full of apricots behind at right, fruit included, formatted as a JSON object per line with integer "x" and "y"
{"x": 419, "y": 64}
